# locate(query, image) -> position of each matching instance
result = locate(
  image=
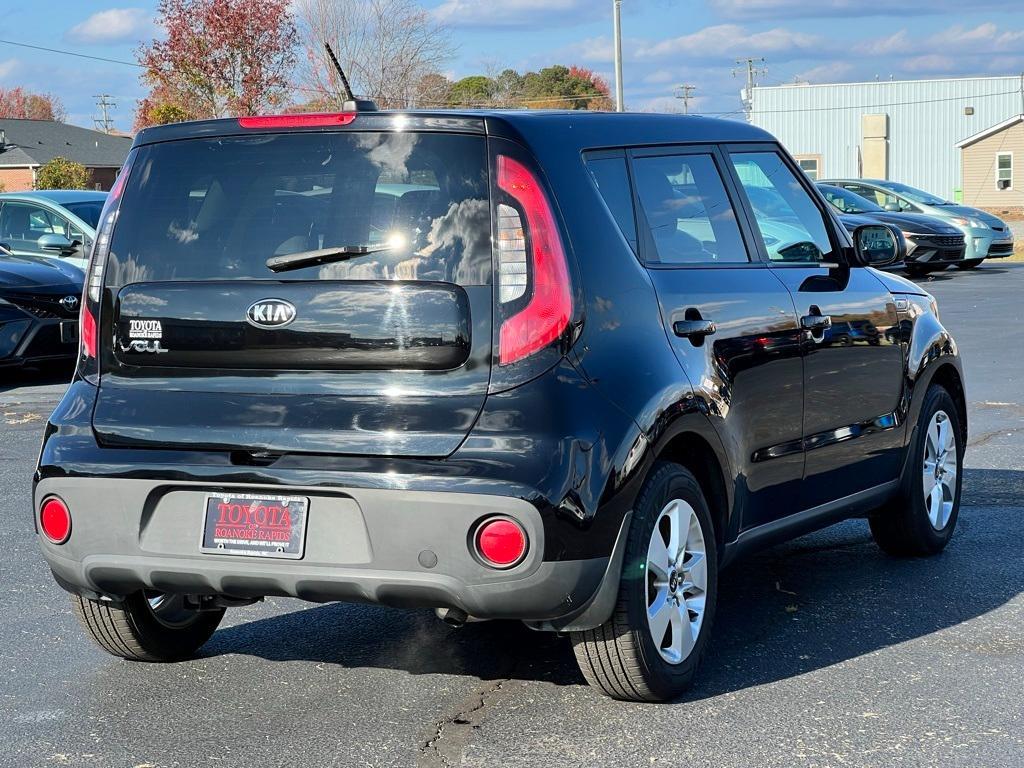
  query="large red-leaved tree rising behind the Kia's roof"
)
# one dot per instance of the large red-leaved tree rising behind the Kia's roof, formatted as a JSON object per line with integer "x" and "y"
{"x": 218, "y": 59}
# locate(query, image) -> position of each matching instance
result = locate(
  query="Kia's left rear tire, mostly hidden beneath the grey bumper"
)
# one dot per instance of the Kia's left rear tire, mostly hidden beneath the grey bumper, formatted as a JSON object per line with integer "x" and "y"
{"x": 134, "y": 631}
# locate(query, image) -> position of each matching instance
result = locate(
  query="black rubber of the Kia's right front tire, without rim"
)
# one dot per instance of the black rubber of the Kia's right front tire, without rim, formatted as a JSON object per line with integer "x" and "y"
{"x": 903, "y": 527}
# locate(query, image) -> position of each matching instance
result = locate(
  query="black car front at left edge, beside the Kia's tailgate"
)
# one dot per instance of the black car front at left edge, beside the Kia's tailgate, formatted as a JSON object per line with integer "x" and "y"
{"x": 39, "y": 306}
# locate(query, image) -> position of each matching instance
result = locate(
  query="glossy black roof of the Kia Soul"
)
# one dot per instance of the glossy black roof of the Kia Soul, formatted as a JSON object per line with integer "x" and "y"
{"x": 572, "y": 130}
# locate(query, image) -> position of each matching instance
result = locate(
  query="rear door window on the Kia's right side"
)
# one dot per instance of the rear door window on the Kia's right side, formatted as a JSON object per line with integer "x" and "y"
{"x": 689, "y": 215}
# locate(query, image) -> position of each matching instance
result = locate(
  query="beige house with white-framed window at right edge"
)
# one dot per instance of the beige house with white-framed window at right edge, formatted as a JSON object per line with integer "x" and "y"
{"x": 993, "y": 163}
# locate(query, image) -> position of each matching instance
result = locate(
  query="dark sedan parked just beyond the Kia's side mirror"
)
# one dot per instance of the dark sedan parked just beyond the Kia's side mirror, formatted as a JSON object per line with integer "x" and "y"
{"x": 932, "y": 245}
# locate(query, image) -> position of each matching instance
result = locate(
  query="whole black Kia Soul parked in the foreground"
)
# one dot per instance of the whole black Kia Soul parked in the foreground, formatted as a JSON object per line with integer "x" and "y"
{"x": 535, "y": 366}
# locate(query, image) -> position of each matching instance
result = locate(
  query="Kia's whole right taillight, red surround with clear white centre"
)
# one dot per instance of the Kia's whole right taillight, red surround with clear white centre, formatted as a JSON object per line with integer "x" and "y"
{"x": 547, "y": 314}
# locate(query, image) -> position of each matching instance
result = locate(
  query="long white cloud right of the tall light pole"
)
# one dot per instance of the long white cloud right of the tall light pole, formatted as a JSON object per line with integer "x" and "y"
{"x": 731, "y": 39}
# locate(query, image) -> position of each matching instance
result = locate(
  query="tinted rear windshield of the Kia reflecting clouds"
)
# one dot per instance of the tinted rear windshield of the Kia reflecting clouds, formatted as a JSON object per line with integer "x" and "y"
{"x": 220, "y": 208}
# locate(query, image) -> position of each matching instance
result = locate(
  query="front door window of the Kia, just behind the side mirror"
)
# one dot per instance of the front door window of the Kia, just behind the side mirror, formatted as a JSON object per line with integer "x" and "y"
{"x": 790, "y": 223}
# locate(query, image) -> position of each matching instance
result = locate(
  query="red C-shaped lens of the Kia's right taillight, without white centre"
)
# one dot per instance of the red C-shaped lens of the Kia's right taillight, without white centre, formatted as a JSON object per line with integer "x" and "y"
{"x": 547, "y": 314}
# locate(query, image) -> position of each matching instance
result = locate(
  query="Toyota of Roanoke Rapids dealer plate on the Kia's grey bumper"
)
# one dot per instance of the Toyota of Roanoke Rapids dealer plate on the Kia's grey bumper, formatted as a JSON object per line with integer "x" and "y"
{"x": 255, "y": 526}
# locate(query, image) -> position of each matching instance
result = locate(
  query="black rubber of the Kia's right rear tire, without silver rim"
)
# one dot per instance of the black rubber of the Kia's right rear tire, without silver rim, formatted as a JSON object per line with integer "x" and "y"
{"x": 620, "y": 658}
